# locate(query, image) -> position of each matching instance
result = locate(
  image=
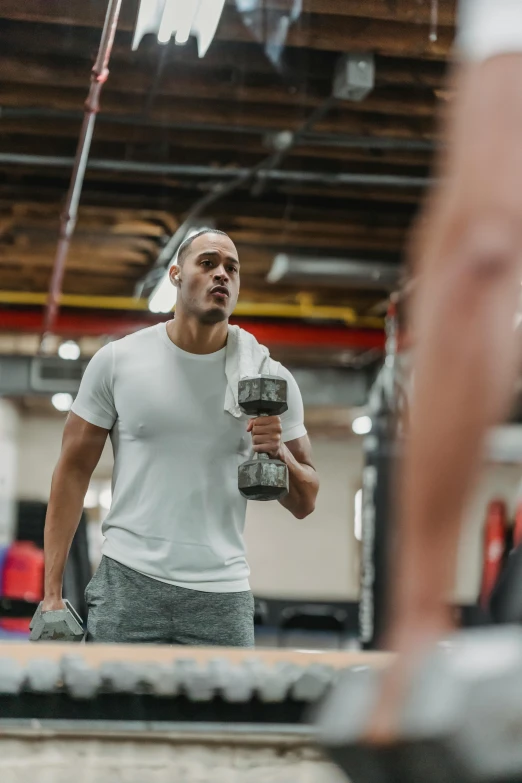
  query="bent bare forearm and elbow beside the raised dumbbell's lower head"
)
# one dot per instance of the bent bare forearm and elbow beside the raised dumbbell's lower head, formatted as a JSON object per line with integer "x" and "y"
{"x": 304, "y": 481}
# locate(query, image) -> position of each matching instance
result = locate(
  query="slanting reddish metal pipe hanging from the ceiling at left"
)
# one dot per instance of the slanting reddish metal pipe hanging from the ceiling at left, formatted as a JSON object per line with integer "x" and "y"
{"x": 99, "y": 76}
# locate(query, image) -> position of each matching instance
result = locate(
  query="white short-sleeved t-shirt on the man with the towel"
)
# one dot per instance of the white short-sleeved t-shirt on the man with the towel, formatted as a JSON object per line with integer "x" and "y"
{"x": 176, "y": 514}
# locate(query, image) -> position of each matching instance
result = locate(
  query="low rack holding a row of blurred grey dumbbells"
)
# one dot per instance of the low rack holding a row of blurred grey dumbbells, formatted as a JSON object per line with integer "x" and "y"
{"x": 165, "y": 685}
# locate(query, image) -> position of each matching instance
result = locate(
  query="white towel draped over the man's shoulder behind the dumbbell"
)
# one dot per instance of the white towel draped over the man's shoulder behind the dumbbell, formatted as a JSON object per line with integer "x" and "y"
{"x": 245, "y": 358}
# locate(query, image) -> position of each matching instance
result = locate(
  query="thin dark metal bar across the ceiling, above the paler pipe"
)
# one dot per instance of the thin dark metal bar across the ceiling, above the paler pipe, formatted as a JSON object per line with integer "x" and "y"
{"x": 312, "y": 139}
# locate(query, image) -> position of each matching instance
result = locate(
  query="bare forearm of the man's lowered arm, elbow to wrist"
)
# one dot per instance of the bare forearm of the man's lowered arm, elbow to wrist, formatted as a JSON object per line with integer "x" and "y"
{"x": 63, "y": 516}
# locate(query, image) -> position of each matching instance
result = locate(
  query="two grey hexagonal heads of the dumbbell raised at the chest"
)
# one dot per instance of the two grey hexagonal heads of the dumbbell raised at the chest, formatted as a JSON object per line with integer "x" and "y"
{"x": 263, "y": 478}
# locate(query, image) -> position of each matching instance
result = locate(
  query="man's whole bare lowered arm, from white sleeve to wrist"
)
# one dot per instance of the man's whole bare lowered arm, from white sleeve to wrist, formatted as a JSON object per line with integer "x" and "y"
{"x": 82, "y": 445}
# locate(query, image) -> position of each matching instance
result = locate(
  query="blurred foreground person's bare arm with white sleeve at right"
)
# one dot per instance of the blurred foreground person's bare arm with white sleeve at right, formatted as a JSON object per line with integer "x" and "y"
{"x": 469, "y": 254}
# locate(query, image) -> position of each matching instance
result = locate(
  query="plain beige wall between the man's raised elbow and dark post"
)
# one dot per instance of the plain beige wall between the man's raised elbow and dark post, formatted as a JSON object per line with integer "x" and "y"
{"x": 315, "y": 557}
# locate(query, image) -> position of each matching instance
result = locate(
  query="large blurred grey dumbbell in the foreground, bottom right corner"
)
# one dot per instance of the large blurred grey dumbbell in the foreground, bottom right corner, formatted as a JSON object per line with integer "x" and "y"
{"x": 461, "y": 720}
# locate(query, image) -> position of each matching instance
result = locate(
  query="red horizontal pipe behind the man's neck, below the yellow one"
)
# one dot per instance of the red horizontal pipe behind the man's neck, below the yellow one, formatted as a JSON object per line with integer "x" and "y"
{"x": 280, "y": 334}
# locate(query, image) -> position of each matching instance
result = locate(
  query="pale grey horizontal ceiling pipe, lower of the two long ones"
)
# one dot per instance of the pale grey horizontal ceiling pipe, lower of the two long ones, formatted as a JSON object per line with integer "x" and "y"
{"x": 212, "y": 172}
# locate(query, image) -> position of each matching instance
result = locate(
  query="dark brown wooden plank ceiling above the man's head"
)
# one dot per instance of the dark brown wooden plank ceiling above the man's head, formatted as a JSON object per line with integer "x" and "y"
{"x": 193, "y": 122}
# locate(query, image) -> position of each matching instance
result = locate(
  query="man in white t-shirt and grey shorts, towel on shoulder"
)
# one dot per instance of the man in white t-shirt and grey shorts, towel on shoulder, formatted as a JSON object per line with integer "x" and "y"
{"x": 174, "y": 567}
